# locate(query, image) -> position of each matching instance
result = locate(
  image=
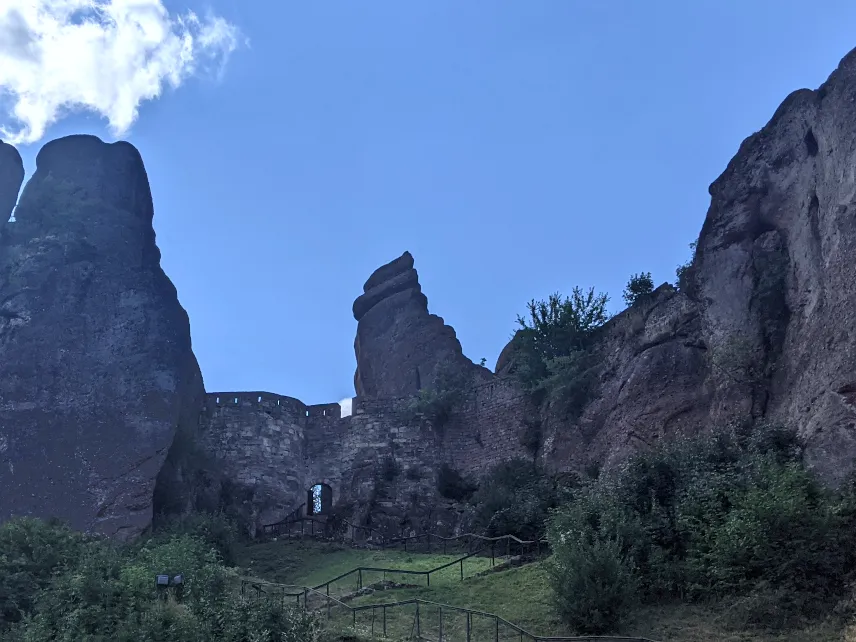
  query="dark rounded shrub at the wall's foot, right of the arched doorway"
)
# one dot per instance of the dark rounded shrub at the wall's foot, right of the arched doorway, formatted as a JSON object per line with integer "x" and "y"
{"x": 514, "y": 498}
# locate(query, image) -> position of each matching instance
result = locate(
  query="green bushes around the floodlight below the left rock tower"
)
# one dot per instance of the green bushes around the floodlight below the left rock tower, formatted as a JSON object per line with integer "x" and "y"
{"x": 62, "y": 586}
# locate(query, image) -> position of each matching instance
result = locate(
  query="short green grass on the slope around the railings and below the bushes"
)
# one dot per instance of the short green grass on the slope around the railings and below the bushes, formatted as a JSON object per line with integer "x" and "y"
{"x": 520, "y": 595}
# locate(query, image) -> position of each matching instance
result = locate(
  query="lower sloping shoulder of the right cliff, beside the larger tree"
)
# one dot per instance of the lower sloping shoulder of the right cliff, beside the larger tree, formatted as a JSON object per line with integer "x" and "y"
{"x": 652, "y": 383}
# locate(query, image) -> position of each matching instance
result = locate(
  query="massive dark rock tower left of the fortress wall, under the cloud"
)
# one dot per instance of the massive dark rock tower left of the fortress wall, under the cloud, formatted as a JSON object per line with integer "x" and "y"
{"x": 96, "y": 368}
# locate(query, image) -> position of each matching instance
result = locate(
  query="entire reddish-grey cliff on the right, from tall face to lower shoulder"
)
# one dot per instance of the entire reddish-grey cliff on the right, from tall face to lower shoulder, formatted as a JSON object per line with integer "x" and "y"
{"x": 762, "y": 328}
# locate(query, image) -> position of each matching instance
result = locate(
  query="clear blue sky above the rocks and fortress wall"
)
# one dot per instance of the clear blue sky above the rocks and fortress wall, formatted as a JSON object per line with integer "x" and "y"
{"x": 515, "y": 148}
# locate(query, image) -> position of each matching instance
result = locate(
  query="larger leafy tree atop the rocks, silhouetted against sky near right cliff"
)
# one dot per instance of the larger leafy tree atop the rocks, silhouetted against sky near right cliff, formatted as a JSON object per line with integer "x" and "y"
{"x": 555, "y": 362}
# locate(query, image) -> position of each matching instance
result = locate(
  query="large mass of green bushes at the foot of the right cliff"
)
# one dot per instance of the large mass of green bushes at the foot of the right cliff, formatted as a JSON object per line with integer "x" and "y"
{"x": 732, "y": 515}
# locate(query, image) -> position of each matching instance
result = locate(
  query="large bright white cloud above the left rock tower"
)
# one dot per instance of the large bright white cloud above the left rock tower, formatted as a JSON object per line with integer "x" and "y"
{"x": 102, "y": 56}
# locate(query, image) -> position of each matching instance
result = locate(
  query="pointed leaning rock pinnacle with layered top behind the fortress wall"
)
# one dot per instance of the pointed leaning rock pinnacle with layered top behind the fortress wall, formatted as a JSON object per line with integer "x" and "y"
{"x": 401, "y": 347}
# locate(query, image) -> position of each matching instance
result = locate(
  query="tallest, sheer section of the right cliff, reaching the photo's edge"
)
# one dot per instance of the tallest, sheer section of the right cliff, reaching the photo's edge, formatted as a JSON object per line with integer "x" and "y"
{"x": 775, "y": 272}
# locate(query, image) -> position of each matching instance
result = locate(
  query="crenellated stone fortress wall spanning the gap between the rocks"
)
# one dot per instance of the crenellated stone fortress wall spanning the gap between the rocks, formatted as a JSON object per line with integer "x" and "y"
{"x": 281, "y": 447}
